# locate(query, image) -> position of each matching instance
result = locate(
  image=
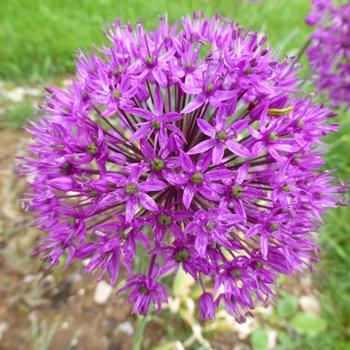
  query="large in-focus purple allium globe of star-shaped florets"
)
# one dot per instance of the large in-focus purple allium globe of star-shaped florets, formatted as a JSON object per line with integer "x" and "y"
{"x": 188, "y": 147}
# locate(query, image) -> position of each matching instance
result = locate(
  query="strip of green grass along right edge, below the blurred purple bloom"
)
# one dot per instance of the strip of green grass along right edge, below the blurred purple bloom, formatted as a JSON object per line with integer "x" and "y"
{"x": 334, "y": 276}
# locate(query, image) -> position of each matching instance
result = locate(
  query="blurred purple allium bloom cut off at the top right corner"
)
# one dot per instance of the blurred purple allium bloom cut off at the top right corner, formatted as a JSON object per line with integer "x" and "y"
{"x": 329, "y": 52}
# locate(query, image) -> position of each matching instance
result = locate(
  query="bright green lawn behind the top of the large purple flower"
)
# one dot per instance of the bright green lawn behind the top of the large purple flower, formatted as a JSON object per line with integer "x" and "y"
{"x": 40, "y": 37}
